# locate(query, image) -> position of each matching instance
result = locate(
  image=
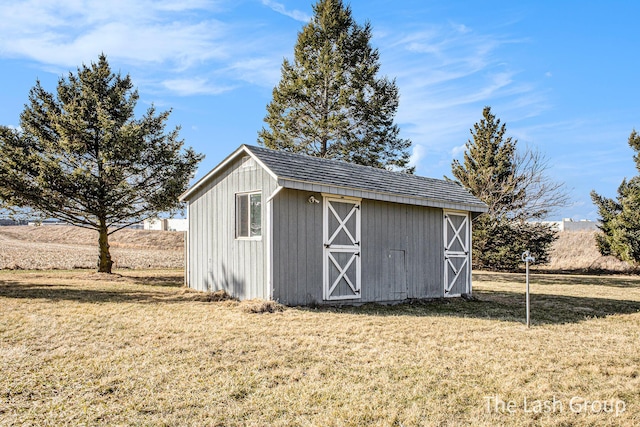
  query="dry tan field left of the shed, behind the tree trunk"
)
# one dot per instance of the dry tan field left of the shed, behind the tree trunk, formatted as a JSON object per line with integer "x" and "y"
{"x": 65, "y": 247}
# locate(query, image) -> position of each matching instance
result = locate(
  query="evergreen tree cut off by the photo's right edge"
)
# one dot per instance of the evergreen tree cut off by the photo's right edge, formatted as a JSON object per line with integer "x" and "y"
{"x": 620, "y": 218}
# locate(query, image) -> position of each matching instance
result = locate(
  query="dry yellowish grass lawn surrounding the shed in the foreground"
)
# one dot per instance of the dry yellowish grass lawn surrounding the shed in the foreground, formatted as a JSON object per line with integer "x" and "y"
{"x": 77, "y": 348}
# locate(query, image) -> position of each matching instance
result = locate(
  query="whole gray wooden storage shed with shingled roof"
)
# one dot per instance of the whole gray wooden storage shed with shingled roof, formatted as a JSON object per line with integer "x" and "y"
{"x": 305, "y": 230}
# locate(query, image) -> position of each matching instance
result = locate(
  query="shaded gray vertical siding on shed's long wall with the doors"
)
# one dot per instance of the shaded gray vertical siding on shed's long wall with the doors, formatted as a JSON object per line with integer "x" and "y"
{"x": 402, "y": 250}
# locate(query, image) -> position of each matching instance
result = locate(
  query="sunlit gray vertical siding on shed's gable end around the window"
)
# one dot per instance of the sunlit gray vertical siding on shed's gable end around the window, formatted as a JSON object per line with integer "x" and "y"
{"x": 217, "y": 260}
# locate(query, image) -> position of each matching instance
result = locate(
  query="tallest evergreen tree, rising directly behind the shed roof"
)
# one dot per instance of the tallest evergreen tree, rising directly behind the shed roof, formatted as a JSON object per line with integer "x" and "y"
{"x": 329, "y": 102}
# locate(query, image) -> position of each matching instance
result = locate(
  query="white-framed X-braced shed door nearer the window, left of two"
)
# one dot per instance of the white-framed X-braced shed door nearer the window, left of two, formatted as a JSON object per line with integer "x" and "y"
{"x": 341, "y": 253}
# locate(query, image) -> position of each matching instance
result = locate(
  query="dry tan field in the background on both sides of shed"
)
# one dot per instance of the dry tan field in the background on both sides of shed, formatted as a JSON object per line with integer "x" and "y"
{"x": 63, "y": 247}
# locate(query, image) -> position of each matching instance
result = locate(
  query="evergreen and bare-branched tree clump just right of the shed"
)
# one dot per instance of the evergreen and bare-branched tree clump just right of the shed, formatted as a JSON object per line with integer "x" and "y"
{"x": 514, "y": 187}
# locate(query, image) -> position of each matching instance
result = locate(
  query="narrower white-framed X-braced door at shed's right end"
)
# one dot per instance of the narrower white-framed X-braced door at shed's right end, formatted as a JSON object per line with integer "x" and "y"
{"x": 457, "y": 253}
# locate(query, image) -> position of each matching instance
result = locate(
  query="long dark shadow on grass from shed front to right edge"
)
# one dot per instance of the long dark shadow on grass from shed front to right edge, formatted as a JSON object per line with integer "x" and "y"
{"x": 503, "y": 306}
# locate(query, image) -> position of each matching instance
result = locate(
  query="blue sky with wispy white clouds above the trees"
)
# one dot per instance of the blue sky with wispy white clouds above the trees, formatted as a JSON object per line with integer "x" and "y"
{"x": 563, "y": 75}
